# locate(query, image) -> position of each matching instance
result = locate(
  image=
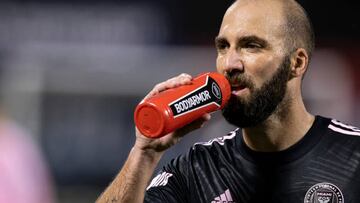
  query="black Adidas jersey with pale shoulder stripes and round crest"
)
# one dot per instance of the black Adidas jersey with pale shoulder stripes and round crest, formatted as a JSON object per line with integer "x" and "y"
{"x": 323, "y": 167}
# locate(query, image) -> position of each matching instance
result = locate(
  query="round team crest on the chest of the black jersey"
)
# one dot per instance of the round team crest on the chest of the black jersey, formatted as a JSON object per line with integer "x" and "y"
{"x": 324, "y": 193}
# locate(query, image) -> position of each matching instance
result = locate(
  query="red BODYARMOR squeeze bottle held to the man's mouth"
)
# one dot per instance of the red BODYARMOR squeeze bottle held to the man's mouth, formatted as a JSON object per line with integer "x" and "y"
{"x": 174, "y": 108}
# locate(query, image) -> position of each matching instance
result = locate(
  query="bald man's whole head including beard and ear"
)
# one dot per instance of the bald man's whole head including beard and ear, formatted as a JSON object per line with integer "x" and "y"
{"x": 263, "y": 48}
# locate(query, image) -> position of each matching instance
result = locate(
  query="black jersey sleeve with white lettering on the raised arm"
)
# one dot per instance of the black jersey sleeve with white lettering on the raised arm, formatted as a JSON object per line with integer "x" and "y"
{"x": 169, "y": 185}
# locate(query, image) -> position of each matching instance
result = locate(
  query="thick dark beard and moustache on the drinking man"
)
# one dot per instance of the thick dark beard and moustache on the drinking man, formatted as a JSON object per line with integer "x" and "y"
{"x": 263, "y": 101}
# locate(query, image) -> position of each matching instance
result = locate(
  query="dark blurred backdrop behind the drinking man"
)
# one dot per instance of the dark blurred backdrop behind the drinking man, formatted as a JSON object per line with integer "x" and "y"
{"x": 72, "y": 72}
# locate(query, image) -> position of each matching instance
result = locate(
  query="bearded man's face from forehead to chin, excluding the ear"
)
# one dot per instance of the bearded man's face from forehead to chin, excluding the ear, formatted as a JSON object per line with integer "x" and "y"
{"x": 251, "y": 54}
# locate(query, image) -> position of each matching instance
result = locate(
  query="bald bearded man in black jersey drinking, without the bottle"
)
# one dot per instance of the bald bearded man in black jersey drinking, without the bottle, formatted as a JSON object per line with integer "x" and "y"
{"x": 281, "y": 154}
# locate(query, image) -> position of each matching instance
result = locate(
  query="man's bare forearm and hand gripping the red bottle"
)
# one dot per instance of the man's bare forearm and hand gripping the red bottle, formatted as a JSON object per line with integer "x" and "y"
{"x": 130, "y": 184}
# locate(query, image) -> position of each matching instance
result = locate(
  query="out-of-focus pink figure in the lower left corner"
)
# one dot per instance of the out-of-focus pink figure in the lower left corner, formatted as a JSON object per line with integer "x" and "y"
{"x": 24, "y": 176}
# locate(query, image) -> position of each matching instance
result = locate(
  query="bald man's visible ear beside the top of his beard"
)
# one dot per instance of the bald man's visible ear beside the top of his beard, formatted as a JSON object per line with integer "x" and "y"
{"x": 299, "y": 63}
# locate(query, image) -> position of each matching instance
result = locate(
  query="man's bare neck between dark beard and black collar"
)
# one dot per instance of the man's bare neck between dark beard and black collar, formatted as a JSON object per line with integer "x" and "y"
{"x": 281, "y": 130}
